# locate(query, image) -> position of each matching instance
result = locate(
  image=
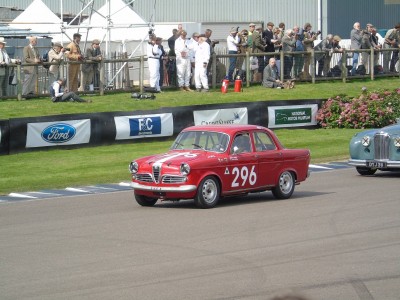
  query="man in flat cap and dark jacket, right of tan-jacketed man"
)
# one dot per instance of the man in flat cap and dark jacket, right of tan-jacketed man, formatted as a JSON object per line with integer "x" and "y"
{"x": 90, "y": 70}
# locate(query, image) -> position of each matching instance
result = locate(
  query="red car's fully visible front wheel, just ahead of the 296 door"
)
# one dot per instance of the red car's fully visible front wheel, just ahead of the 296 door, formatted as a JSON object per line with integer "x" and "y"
{"x": 208, "y": 193}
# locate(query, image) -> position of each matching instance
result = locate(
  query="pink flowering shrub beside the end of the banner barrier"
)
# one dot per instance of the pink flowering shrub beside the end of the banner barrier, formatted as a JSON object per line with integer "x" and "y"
{"x": 369, "y": 110}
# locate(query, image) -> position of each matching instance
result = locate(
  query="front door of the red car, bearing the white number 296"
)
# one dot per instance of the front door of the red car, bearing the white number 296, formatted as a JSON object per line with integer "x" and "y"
{"x": 242, "y": 166}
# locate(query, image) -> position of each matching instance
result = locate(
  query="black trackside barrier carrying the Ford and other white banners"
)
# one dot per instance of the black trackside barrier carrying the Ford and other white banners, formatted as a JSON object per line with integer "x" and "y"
{"x": 95, "y": 129}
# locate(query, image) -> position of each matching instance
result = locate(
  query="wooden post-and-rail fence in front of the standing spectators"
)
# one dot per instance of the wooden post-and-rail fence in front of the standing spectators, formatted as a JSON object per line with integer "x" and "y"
{"x": 131, "y": 73}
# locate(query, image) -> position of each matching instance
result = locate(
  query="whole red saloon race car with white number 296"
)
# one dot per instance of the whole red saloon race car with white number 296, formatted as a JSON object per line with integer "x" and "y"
{"x": 206, "y": 163}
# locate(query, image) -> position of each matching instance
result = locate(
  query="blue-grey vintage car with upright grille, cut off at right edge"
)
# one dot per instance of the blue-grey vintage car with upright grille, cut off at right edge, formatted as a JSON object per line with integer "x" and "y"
{"x": 376, "y": 149}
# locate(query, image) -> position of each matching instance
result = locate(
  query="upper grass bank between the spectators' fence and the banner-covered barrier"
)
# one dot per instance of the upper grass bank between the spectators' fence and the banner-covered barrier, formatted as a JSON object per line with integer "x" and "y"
{"x": 124, "y": 102}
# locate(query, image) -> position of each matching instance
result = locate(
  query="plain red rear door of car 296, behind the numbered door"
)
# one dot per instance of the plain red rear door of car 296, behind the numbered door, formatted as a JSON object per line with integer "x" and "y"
{"x": 269, "y": 158}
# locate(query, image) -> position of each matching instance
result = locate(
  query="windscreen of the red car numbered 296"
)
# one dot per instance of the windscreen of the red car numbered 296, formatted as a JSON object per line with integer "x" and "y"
{"x": 201, "y": 140}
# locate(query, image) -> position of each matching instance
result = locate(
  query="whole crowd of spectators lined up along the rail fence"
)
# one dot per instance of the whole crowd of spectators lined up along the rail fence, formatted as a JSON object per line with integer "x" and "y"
{"x": 188, "y": 63}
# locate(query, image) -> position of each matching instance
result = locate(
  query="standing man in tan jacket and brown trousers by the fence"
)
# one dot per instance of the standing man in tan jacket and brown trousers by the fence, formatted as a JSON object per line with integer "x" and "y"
{"x": 74, "y": 54}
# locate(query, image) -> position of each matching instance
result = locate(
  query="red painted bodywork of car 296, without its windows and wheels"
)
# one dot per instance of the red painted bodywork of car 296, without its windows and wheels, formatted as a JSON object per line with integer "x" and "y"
{"x": 253, "y": 171}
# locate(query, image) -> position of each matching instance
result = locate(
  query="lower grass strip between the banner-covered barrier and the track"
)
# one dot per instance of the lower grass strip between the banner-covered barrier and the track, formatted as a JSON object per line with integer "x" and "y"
{"x": 35, "y": 171}
